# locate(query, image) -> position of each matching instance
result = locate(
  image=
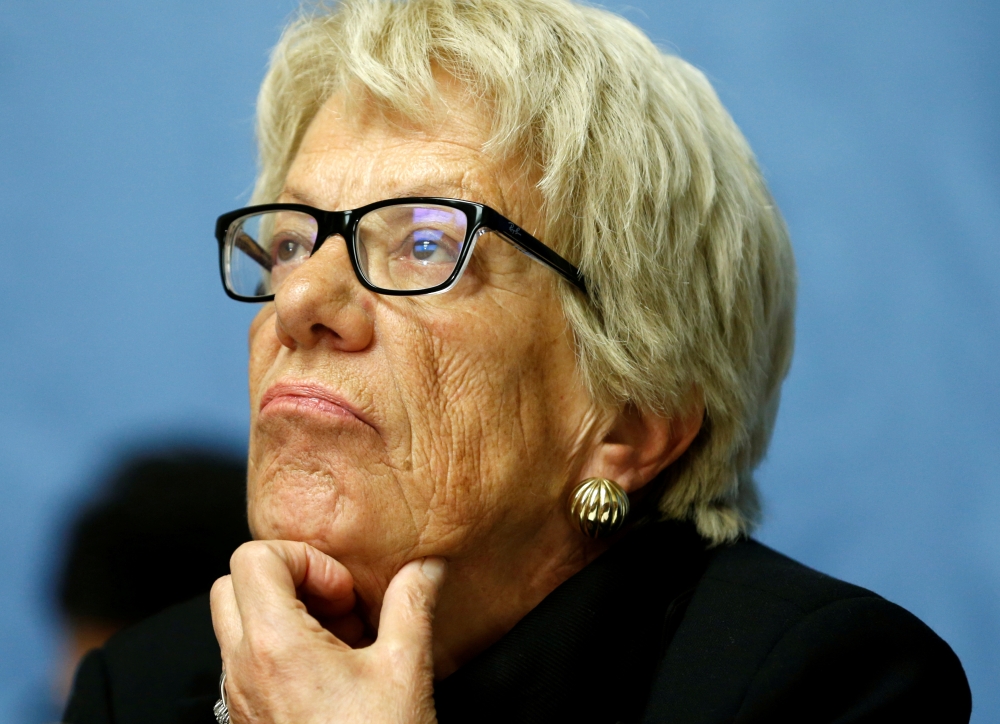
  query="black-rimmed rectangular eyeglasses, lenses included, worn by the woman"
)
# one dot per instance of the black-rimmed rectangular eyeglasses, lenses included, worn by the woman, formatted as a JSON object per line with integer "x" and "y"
{"x": 400, "y": 247}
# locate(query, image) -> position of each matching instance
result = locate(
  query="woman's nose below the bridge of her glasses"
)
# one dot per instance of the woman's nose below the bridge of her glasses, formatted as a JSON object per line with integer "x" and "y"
{"x": 321, "y": 301}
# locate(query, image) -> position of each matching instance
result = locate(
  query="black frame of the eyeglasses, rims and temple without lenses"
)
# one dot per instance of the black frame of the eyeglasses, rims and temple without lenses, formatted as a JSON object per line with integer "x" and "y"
{"x": 481, "y": 219}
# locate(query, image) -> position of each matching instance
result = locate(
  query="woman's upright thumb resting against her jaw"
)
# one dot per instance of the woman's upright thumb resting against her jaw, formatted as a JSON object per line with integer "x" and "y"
{"x": 408, "y": 607}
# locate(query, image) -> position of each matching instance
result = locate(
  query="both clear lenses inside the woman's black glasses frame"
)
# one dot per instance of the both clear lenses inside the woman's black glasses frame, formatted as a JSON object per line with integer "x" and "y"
{"x": 403, "y": 247}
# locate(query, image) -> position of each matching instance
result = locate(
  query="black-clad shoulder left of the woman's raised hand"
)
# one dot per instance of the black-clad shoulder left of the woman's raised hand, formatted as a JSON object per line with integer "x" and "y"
{"x": 165, "y": 669}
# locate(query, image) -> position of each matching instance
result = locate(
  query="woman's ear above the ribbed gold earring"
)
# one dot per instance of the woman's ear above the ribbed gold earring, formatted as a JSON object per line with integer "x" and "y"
{"x": 640, "y": 443}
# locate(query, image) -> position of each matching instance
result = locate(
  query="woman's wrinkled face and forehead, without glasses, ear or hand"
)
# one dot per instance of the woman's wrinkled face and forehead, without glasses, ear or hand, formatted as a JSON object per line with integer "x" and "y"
{"x": 388, "y": 428}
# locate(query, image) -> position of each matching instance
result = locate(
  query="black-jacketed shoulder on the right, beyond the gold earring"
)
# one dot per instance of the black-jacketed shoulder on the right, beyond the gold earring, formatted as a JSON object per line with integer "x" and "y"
{"x": 765, "y": 638}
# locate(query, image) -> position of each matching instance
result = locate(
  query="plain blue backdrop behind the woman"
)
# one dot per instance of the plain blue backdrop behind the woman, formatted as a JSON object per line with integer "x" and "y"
{"x": 126, "y": 127}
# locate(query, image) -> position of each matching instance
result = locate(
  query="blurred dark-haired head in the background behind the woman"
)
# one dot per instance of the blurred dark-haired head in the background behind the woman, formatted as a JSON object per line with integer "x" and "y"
{"x": 160, "y": 530}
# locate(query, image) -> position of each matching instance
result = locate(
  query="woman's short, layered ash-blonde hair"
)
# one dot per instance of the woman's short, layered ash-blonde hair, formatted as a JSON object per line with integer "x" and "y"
{"x": 648, "y": 186}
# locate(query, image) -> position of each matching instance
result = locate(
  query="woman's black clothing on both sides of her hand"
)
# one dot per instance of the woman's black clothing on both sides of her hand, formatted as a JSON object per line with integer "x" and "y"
{"x": 658, "y": 629}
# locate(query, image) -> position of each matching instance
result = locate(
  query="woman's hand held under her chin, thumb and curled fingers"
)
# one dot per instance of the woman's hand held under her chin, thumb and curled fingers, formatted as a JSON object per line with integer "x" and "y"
{"x": 283, "y": 665}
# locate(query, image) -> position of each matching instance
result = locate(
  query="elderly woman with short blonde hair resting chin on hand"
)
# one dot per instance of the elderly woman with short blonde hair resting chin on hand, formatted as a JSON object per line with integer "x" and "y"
{"x": 528, "y": 307}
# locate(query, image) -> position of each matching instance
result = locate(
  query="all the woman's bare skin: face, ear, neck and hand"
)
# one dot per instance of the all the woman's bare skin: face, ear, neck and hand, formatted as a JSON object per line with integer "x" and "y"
{"x": 471, "y": 427}
